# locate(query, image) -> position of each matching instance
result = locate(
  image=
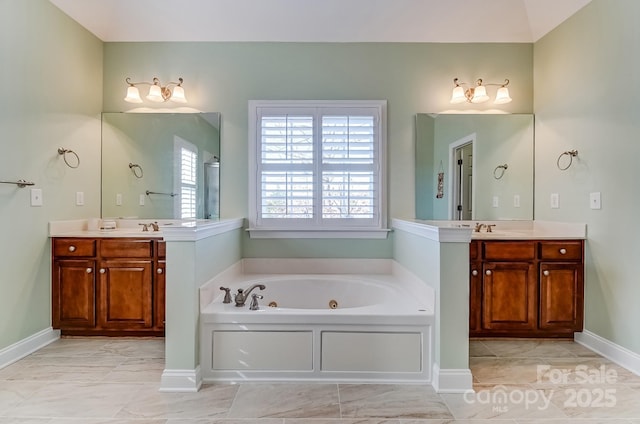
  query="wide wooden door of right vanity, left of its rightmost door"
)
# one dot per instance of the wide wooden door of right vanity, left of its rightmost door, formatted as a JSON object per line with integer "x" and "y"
{"x": 509, "y": 296}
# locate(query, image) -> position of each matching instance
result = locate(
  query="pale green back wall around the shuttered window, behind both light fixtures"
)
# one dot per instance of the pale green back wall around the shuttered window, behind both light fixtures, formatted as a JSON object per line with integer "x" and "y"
{"x": 223, "y": 77}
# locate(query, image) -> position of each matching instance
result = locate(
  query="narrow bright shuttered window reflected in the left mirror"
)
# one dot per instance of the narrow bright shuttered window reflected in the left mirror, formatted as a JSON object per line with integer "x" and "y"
{"x": 186, "y": 157}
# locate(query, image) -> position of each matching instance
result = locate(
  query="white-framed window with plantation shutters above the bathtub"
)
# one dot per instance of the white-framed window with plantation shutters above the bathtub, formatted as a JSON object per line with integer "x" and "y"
{"x": 317, "y": 166}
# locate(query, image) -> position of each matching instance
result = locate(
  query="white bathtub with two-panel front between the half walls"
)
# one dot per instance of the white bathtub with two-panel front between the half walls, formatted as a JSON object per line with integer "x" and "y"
{"x": 344, "y": 327}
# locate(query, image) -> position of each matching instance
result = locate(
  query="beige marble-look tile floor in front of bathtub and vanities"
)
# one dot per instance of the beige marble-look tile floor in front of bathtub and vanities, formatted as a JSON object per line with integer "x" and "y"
{"x": 109, "y": 381}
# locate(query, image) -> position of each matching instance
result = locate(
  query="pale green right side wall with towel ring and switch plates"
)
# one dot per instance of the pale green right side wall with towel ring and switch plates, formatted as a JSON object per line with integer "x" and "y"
{"x": 586, "y": 86}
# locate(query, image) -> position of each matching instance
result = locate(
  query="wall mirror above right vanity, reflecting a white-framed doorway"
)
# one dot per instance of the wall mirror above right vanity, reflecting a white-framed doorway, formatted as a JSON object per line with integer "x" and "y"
{"x": 474, "y": 167}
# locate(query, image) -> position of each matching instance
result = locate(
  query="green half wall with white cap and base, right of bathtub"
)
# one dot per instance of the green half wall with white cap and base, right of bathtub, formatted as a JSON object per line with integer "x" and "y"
{"x": 438, "y": 253}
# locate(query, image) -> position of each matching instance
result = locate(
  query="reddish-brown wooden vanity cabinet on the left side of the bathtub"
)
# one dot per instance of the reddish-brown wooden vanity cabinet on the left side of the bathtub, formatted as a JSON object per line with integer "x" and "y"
{"x": 111, "y": 289}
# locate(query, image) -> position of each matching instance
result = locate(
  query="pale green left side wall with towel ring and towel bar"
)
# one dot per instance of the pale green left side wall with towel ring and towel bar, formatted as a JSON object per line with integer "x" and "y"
{"x": 51, "y": 71}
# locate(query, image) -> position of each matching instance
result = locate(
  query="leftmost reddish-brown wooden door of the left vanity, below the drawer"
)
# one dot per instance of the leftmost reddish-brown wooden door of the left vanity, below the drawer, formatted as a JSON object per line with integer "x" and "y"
{"x": 73, "y": 294}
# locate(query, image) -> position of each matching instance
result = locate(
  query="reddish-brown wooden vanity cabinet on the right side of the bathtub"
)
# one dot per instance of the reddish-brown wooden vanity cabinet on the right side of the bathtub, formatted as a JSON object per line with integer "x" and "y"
{"x": 526, "y": 288}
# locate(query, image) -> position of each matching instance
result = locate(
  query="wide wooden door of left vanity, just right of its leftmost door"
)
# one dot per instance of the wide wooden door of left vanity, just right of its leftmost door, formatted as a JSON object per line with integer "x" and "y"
{"x": 125, "y": 298}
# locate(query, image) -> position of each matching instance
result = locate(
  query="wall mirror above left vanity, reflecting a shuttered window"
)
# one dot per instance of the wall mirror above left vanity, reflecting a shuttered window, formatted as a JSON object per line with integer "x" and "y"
{"x": 160, "y": 165}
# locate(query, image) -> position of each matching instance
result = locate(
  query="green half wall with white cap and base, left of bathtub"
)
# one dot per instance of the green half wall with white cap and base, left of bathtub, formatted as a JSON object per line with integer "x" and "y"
{"x": 194, "y": 253}
